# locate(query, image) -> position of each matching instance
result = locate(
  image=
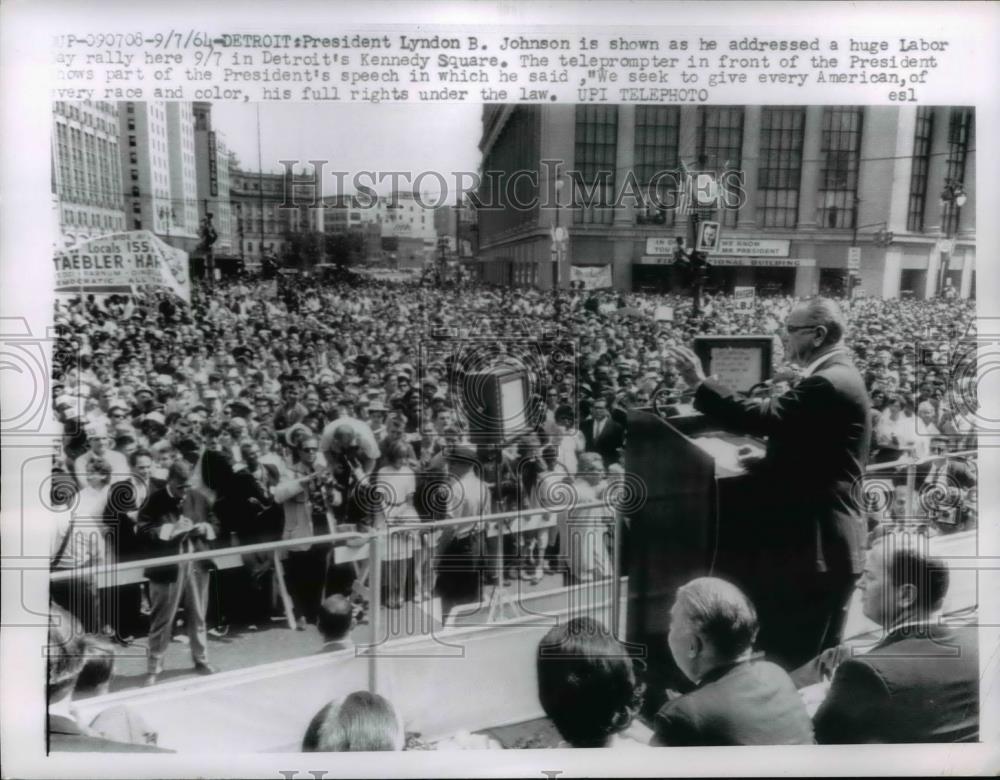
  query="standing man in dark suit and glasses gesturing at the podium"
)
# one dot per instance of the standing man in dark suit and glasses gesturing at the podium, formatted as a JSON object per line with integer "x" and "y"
{"x": 809, "y": 531}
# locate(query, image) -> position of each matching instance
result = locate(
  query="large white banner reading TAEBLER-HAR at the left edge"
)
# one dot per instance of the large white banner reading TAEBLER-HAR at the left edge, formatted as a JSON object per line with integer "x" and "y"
{"x": 120, "y": 262}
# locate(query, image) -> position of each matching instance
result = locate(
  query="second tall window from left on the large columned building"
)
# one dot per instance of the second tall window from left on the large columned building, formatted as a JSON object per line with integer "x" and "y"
{"x": 657, "y": 133}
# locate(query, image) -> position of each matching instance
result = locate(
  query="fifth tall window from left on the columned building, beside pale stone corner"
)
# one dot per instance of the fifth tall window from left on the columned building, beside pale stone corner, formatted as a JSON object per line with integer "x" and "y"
{"x": 840, "y": 147}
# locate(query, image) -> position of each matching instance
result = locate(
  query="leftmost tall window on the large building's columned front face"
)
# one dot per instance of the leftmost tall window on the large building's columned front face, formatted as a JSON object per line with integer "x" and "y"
{"x": 594, "y": 157}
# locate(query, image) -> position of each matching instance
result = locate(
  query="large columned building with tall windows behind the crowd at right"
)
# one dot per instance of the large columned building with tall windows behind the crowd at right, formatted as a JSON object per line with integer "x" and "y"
{"x": 813, "y": 182}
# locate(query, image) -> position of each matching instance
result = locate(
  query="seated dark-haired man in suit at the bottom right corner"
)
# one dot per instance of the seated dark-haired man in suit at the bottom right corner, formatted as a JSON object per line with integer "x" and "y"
{"x": 920, "y": 683}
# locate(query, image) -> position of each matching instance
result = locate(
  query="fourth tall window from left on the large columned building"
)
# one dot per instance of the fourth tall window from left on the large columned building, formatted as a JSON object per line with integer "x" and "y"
{"x": 781, "y": 133}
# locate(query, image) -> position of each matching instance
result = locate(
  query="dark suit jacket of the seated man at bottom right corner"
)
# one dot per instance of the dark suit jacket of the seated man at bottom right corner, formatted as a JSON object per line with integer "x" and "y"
{"x": 919, "y": 684}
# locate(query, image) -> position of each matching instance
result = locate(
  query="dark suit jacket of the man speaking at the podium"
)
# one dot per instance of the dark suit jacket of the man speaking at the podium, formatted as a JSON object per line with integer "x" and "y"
{"x": 818, "y": 437}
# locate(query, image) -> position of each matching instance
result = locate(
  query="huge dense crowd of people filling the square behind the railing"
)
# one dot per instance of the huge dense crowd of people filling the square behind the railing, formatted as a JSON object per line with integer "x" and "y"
{"x": 287, "y": 409}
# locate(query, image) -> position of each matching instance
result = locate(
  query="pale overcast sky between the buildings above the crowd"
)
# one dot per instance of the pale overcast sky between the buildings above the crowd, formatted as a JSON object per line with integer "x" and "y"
{"x": 354, "y": 136}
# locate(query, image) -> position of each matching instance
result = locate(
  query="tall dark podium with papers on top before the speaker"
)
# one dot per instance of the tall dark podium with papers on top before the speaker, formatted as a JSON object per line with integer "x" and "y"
{"x": 698, "y": 519}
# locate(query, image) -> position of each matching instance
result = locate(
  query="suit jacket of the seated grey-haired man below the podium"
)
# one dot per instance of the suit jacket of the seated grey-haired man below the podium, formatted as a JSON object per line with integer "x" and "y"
{"x": 749, "y": 703}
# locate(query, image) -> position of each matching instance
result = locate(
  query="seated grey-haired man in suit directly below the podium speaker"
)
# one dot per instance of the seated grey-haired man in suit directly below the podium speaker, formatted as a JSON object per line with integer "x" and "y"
{"x": 739, "y": 700}
